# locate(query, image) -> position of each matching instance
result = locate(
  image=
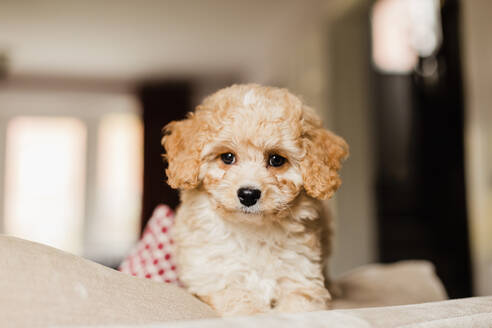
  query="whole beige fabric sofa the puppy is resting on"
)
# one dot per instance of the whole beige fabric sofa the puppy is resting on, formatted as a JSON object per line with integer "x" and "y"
{"x": 45, "y": 287}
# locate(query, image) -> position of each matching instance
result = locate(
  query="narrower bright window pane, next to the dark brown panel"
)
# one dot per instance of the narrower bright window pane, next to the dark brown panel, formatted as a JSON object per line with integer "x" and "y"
{"x": 116, "y": 224}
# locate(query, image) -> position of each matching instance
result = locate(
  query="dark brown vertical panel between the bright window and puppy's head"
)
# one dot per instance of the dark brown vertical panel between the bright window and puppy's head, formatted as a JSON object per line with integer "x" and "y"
{"x": 162, "y": 102}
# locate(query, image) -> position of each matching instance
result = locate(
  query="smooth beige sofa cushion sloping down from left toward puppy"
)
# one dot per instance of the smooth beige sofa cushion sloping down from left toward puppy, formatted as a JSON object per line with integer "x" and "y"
{"x": 42, "y": 286}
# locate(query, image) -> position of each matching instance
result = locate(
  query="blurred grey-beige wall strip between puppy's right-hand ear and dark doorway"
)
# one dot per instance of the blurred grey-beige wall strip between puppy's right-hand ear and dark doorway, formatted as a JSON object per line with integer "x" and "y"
{"x": 355, "y": 242}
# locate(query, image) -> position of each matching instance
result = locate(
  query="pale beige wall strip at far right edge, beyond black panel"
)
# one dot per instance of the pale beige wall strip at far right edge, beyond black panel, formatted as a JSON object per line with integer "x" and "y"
{"x": 477, "y": 66}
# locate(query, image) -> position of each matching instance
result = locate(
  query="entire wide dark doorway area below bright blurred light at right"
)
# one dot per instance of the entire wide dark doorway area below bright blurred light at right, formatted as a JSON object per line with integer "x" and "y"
{"x": 421, "y": 183}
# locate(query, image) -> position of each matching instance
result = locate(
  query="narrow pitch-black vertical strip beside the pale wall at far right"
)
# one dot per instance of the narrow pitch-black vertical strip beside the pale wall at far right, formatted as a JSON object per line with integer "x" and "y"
{"x": 442, "y": 189}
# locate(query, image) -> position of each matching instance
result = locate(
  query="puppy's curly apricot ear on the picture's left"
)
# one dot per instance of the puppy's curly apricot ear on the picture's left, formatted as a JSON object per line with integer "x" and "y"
{"x": 181, "y": 142}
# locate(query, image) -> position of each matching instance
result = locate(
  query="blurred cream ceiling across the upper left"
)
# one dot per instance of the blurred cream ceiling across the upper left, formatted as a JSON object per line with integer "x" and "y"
{"x": 129, "y": 40}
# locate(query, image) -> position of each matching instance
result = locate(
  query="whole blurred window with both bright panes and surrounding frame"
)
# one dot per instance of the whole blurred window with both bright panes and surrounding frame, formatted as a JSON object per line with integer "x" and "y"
{"x": 71, "y": 170}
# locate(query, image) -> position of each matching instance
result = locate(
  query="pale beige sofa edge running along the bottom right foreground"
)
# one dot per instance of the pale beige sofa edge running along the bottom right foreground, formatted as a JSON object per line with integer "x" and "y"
{"x": 463, "y": 313}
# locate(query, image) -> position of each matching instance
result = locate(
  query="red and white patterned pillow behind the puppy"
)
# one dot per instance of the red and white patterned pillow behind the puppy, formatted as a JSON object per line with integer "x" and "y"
{"x": 153, "y": 256}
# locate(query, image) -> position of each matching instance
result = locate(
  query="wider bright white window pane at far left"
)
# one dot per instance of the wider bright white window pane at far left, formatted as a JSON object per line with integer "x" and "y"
{"x": 45, "y": 180}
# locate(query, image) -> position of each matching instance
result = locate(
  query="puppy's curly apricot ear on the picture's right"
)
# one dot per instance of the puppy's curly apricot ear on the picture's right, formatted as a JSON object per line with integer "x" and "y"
{"x": 325, "y": 152}
